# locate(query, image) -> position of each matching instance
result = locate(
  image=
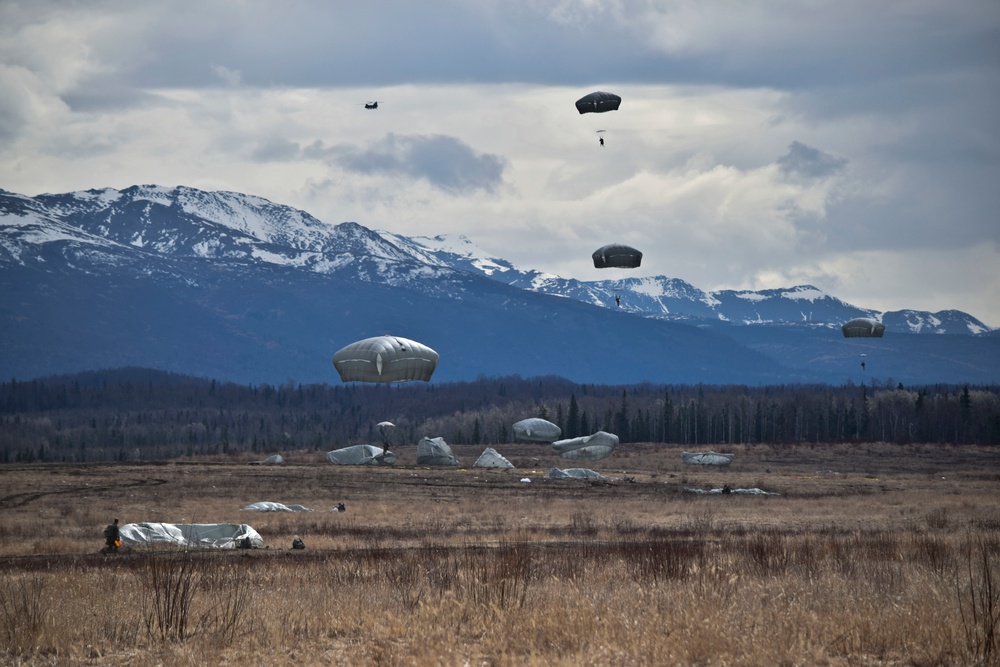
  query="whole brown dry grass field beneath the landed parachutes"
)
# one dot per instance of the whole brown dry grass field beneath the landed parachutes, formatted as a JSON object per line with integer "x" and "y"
{"x": 869, "y": 555}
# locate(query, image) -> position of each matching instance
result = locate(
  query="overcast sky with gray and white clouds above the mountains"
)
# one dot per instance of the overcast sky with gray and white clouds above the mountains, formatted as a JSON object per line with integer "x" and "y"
{"x": 848, "y": 144}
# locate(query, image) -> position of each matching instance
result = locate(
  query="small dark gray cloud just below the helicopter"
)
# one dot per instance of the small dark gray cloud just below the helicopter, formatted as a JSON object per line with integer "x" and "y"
{"x": 446, "y": 162}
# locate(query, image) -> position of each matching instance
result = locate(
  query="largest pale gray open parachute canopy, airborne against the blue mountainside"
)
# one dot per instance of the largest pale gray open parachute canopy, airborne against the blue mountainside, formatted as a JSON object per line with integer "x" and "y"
{"x": 385, "y": 359}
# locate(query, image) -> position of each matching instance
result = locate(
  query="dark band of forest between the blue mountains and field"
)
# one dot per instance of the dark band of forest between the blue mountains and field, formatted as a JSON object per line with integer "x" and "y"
{"x": 138, "y": 414}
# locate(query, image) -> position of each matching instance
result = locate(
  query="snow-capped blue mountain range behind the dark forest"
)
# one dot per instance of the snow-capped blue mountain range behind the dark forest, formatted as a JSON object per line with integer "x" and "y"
{"x": 235, "y": 287}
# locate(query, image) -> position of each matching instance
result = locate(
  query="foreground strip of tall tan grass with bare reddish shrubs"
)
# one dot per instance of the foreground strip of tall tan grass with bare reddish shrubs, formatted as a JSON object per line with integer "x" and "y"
{"x": 893, "y": 597}
